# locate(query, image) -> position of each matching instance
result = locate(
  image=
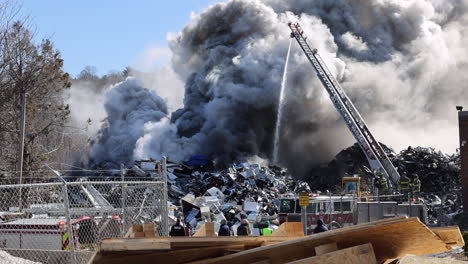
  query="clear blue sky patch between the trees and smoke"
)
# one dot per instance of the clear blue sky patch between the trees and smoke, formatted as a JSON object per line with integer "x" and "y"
{"x": 110, "y": 35}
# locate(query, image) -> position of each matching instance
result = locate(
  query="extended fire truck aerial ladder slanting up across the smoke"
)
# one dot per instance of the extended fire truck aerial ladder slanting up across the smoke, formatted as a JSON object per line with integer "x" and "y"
{"x": 378, "y": 160}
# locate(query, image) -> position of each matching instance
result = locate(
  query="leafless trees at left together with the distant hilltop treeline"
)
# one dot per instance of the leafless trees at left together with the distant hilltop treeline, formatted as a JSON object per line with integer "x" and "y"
{"x": 32, "y": 73}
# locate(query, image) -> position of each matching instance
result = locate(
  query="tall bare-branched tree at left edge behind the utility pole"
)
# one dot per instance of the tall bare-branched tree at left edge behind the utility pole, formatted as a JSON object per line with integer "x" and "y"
{"x": 35, "y": 70}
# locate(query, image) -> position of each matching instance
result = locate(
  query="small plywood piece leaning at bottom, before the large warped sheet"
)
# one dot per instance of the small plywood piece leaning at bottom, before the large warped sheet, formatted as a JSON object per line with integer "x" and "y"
{"x": 362, "y": 254}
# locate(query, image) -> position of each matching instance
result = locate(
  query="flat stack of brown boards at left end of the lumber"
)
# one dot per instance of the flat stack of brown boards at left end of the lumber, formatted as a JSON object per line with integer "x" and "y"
{"x": 177, "y": 249}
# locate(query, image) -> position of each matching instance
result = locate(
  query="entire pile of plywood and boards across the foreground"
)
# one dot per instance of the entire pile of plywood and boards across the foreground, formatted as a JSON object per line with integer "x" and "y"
{"x": 378, "y": 241}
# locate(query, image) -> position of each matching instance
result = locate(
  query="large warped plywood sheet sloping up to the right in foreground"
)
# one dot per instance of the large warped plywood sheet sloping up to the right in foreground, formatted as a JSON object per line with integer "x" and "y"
{"x": 391, "y": 238}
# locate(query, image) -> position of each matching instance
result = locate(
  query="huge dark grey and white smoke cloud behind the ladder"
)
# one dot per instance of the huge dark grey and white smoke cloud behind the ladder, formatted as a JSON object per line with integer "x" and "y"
{"x": 402, "y": 62}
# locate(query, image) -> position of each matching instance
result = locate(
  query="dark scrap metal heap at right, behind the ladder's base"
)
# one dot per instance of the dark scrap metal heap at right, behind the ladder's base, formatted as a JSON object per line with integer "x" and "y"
{"x": 438, "y": 172}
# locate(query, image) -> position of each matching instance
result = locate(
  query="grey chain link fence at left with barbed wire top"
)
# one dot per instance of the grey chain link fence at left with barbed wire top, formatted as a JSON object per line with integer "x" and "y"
{"x": 64, "y": 221}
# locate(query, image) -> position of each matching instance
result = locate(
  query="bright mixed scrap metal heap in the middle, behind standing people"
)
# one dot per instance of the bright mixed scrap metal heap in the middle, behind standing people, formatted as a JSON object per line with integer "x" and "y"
{"x": 206, "y": 194}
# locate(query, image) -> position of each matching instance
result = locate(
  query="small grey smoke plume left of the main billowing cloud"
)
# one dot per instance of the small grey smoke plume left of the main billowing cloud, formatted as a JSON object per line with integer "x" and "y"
{"x": 128, "y": 106}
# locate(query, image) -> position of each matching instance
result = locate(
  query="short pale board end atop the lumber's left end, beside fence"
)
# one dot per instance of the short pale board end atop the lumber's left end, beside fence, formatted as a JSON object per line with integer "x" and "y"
{"x": 136, "y": 244}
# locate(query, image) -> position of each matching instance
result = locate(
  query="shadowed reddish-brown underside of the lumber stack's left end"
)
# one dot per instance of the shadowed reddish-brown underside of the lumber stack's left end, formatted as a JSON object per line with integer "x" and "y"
{"x": 173, "y": 256}
